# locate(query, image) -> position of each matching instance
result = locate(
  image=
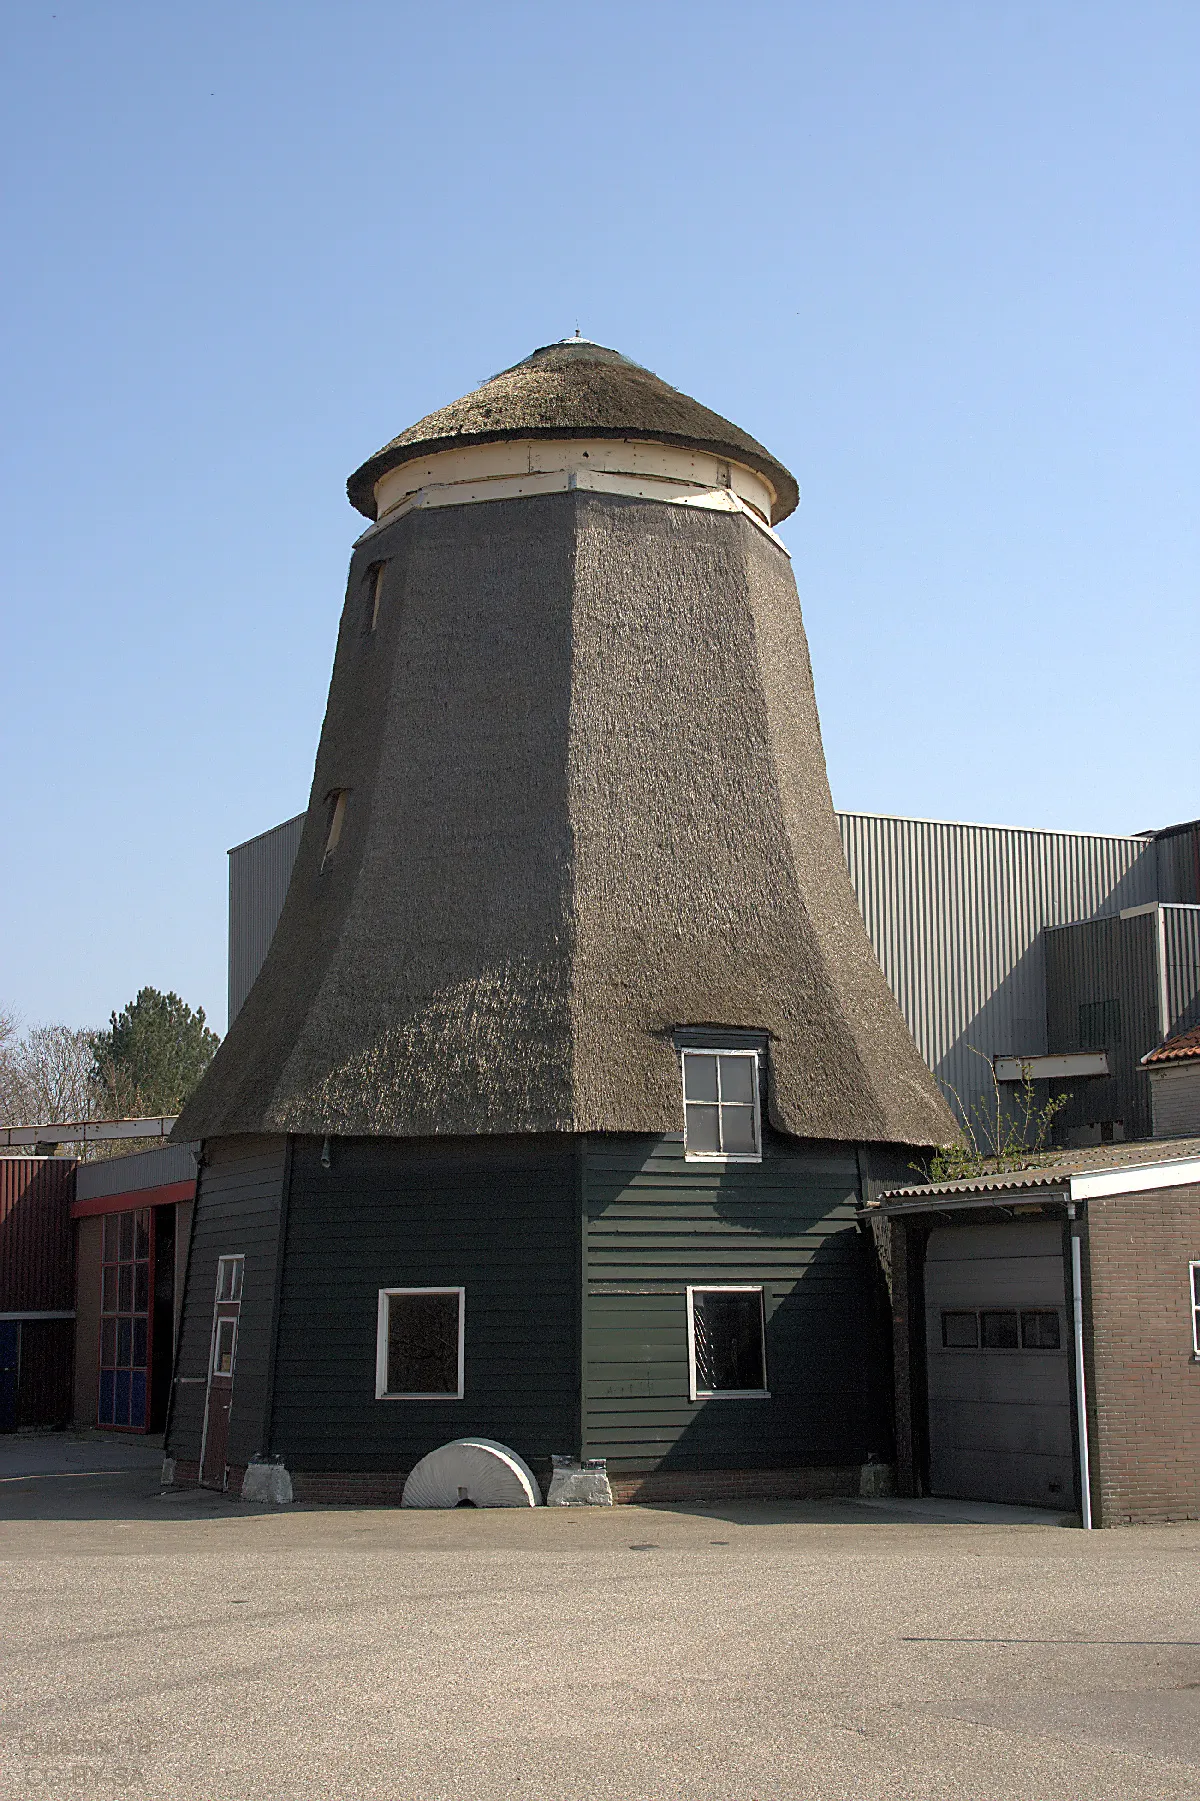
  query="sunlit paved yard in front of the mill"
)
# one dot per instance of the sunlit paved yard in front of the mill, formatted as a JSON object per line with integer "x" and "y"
{"x": 201, "y": 1649}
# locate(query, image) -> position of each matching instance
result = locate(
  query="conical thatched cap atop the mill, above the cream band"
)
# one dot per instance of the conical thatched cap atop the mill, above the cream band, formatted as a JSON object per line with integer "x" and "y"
{"x": 576, "y": 390}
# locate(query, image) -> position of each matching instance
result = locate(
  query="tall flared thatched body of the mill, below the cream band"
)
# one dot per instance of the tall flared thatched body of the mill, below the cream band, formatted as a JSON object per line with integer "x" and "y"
{"x": 588, "y": 806}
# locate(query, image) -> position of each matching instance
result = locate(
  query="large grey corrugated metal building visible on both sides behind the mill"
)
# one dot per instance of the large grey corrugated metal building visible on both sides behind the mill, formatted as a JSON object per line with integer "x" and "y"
{"x": 959, "y": 918}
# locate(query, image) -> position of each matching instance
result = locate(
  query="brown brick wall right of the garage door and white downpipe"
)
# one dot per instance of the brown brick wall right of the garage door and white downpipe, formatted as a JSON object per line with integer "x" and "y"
{"x": 1145, "y": 1379}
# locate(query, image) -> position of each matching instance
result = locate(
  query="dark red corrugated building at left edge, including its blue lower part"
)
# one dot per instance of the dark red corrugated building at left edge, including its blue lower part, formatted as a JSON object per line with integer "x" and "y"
{"x": 37, "y": 1290}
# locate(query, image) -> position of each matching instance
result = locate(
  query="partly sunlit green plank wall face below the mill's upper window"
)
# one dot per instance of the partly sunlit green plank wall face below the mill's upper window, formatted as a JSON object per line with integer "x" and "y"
{"x": 655, "y": 1226}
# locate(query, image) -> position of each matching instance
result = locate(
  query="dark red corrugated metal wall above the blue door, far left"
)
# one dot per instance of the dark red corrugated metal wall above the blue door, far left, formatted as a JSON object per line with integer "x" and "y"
{"x": 37, "y": 1245}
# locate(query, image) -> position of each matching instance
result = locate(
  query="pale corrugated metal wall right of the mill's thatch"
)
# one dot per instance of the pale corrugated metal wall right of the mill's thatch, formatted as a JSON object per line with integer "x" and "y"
{"x": 958, "y": 918}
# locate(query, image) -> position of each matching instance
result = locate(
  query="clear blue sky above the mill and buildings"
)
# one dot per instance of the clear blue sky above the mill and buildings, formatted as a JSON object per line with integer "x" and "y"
{"x": 940, "y": 257}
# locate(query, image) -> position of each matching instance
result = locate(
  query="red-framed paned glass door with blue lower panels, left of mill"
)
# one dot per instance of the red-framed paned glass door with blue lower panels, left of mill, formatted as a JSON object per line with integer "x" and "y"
{"x": 127, "y": 1305}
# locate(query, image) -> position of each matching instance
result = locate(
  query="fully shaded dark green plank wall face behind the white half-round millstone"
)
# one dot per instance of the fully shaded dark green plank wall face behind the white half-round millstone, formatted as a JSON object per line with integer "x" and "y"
{"x": 498, "y": 1217}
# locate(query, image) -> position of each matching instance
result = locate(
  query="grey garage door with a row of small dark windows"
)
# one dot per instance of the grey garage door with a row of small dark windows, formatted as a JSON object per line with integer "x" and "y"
{"x": 997, "y": 1357}
